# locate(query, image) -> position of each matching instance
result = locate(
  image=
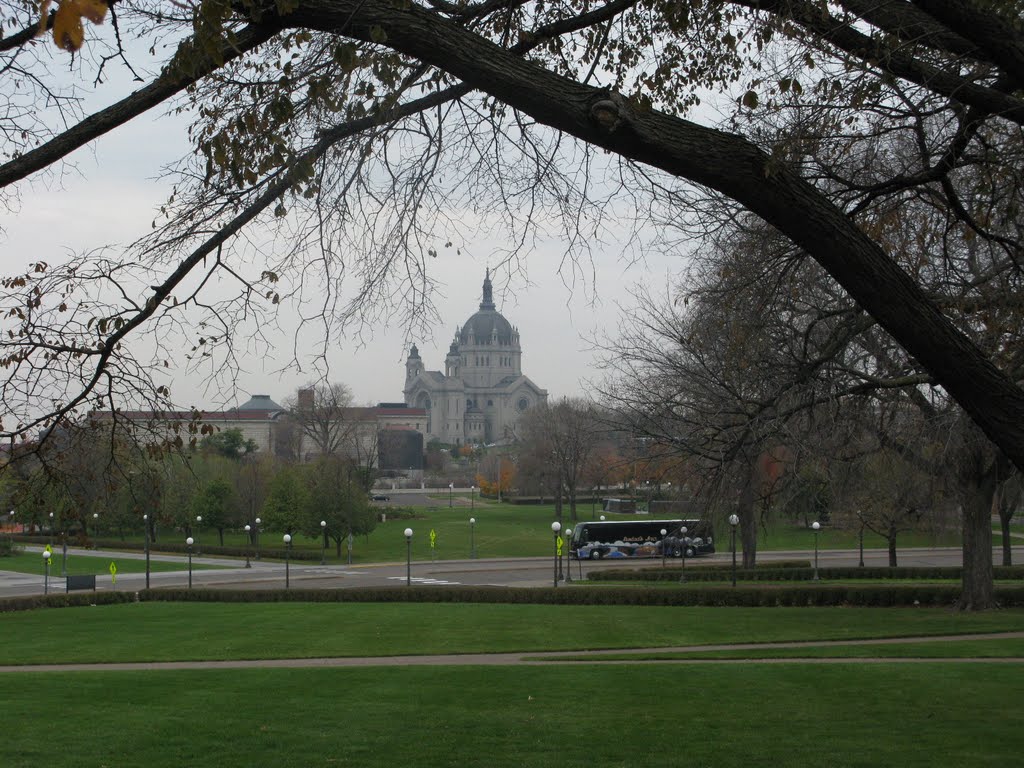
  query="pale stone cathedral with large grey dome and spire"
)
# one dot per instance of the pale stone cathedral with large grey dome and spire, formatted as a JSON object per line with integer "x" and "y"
{"x": 483, "y": 394}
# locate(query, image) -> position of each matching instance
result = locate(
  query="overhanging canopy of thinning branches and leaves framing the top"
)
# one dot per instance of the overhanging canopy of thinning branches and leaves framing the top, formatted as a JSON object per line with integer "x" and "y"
{"x": 367, "y": 129}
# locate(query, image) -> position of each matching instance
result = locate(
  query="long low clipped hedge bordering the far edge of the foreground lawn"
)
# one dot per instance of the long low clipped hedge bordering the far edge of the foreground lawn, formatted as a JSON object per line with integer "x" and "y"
{"x": 751, "y": 596}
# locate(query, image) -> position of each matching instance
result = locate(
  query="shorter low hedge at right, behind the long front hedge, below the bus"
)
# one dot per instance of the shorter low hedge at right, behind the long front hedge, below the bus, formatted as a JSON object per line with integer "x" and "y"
{"x": 771, "y": 574}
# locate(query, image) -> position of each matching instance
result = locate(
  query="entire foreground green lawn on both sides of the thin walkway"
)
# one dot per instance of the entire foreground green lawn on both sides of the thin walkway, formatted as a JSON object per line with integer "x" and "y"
{"x": 600, "y": 716}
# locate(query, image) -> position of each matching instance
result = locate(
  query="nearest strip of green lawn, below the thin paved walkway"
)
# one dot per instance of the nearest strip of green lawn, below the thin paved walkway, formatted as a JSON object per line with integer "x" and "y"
{"x": 786, "y": 716}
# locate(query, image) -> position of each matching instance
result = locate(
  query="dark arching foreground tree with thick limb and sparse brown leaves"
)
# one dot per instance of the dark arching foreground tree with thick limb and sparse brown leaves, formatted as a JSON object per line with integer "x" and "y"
{"x": 936, "y": 71}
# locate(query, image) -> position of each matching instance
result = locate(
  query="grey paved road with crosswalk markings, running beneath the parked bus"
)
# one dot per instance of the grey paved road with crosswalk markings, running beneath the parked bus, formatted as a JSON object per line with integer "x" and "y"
{"x": 529, "y": 572}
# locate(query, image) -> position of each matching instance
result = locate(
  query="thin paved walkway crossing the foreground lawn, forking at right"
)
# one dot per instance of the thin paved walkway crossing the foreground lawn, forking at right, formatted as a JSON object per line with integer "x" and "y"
{"x": 549, "y": 658}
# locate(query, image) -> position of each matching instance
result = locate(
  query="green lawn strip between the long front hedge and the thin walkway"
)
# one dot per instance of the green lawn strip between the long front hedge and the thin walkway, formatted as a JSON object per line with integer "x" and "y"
{"x": 140, "y": 632}
